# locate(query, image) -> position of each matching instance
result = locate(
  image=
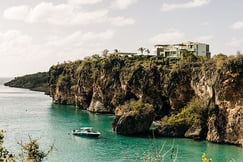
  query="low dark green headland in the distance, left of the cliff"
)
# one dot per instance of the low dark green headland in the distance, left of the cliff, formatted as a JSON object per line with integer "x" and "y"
{"x": 35, "y": 82}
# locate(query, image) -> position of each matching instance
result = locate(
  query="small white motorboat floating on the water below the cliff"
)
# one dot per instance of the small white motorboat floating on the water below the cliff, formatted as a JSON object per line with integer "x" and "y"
{"x": 86, "y": 131}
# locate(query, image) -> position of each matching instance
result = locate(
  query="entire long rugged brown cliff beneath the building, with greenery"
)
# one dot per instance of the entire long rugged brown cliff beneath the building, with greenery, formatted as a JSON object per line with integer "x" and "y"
{"x": 105, "y": 84}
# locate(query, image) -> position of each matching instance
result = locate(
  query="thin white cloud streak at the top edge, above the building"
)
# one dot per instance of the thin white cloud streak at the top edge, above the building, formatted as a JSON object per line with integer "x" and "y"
{"x": 189, "y": 4}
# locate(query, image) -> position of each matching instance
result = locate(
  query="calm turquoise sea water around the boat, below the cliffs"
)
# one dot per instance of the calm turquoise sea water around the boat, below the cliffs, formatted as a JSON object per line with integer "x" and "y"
{"x": 24, "y": 112}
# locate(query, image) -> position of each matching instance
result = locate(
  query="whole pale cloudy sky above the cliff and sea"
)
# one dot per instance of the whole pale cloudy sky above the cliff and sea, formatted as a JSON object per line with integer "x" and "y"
{"x": 36, "y": 34}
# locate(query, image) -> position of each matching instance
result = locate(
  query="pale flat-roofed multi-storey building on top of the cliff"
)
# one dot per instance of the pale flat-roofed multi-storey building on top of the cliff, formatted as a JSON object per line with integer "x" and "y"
{"x": 175, "y": 50}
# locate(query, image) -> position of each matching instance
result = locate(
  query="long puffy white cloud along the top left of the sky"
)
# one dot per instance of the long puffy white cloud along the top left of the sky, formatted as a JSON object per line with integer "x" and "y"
{"x": 63, "y": 14}
